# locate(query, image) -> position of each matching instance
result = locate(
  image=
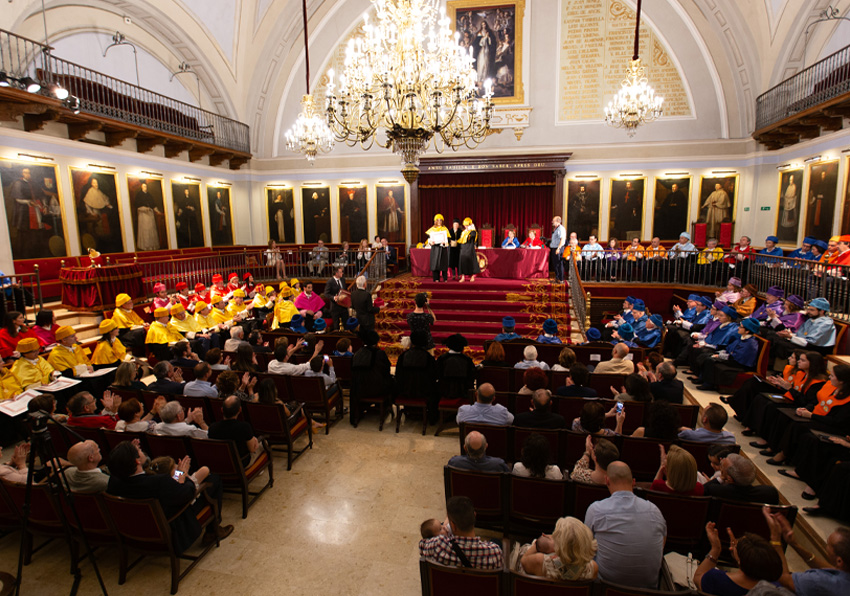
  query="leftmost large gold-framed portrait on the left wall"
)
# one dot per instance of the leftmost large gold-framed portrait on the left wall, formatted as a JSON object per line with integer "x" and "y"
{"x": 22, "y": 245}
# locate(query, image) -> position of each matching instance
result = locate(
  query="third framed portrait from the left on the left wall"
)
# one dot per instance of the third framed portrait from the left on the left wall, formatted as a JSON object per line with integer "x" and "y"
{"x": 147, "y": 211}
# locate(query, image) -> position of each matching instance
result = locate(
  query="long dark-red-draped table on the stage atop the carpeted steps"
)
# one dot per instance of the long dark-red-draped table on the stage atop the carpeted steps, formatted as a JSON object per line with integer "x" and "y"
{"x": 504, "y": 263}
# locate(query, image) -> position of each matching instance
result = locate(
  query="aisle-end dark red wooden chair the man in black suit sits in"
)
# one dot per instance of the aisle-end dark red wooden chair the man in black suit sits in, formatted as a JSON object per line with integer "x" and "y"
{"x": 142, "y": 526}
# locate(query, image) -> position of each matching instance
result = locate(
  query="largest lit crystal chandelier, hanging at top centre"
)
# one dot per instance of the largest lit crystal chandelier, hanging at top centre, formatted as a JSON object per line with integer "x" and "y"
{"x": 412, "y": 81}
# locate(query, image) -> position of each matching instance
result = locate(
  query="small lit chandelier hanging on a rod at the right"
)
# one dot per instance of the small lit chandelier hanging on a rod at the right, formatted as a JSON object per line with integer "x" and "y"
{"x": 636, "y": 102}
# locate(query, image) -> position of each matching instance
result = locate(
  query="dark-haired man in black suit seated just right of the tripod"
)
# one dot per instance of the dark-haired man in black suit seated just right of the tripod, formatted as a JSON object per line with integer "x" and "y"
{"x": 128, "y": 480}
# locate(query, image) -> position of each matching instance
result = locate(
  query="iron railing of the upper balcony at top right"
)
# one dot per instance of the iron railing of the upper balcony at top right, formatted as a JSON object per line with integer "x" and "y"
{"x": 822, "y": 81}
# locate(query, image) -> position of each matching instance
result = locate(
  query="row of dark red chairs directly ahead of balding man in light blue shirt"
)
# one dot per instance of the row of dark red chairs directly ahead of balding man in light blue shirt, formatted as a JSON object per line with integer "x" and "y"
{"x": 525, "y": 507}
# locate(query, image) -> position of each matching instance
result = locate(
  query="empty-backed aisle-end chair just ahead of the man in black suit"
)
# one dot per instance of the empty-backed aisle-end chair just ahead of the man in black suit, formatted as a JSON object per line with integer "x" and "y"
{"x": 222, "y": 458}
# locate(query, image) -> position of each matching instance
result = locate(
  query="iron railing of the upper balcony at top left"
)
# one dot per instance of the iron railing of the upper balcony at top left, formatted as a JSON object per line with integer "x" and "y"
{"x": 102, "y": 95}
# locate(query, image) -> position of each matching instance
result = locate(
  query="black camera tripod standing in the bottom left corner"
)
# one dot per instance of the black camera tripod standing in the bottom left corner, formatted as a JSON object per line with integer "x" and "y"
{"x": 42, "y": 445}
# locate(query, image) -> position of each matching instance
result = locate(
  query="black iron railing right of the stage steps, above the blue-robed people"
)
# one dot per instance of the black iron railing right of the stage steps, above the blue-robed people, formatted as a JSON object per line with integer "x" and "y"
{"x": 807, "y": 279}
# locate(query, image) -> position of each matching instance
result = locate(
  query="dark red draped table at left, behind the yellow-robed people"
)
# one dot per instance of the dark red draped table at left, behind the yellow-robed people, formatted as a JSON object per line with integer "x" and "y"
{"x": 95, "y": 288}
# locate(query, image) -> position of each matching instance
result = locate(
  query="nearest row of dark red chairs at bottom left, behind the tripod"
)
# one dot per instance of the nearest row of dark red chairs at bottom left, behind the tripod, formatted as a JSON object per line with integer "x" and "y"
{"x": 137, "y": 525}
